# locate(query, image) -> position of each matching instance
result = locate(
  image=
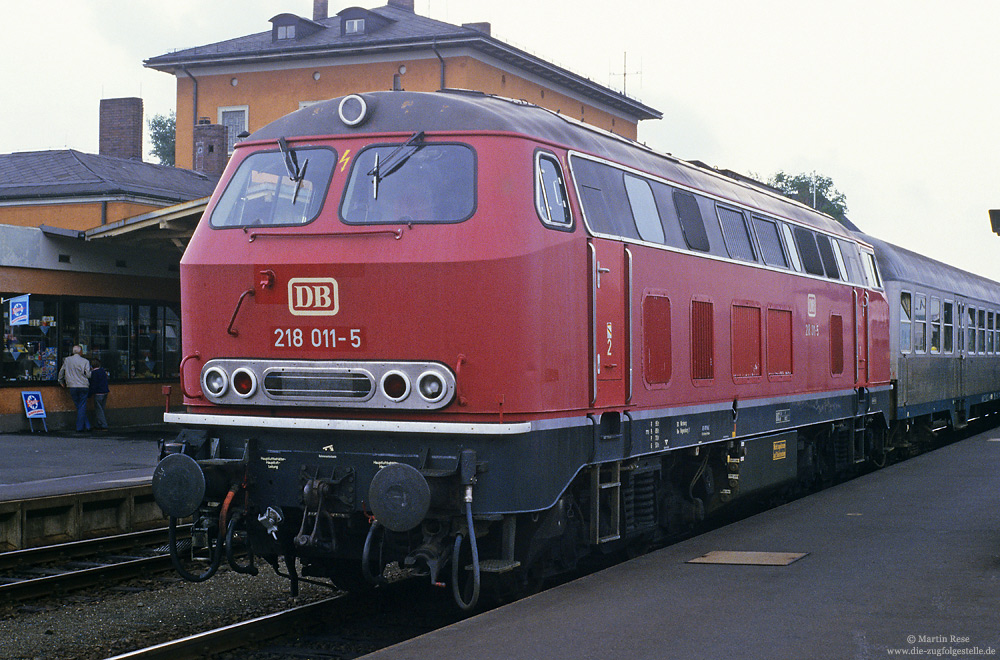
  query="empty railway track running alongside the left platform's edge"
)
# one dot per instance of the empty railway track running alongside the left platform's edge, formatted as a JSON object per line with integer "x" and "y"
{"x": 39, "y": 572}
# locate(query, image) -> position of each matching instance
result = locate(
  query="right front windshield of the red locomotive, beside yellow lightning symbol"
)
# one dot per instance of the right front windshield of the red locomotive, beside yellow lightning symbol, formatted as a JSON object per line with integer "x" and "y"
{"x": 415, "y": 183}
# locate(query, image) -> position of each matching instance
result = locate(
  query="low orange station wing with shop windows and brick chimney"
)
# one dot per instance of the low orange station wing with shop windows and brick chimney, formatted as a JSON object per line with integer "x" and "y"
{"x": 117, "y": 297}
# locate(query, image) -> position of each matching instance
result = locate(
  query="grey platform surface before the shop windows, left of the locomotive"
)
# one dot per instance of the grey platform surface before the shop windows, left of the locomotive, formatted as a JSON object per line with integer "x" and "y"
{"x": 41, "y": 464}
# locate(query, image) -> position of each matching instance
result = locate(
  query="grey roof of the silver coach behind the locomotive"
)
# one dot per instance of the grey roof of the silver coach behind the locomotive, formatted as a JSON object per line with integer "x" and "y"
{"x": 907, "y": 267}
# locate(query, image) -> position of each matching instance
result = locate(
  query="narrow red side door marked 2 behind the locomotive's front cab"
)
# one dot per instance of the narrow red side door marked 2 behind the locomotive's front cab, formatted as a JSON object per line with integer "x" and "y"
{"x": 610, "y": 265}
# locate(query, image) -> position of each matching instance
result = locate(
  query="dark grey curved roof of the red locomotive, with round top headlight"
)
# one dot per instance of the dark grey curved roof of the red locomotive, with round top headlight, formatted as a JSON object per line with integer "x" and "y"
{"x": 460, "y": 110}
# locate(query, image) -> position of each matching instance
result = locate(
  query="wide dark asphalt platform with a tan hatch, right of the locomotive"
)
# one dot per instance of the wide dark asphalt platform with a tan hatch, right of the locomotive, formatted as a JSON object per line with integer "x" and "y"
{"x": 903, "y": 561}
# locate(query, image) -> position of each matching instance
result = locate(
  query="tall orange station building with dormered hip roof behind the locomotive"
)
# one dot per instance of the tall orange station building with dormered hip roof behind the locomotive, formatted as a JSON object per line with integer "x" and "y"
{"x": 248, "y": 82}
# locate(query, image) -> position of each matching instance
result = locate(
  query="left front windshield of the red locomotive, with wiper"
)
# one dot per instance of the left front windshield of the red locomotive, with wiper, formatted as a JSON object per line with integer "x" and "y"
{"x": 268, "y": 190}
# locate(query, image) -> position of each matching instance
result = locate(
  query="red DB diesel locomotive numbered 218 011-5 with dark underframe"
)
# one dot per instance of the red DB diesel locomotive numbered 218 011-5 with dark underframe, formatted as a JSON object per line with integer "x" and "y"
{"x": 479, "y": 340}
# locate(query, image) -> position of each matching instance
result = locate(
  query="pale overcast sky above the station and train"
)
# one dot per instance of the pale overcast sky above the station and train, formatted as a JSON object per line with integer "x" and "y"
{"x": 895, "y": 100}
